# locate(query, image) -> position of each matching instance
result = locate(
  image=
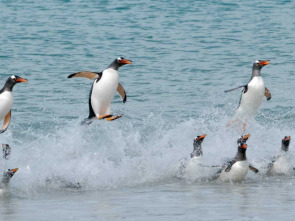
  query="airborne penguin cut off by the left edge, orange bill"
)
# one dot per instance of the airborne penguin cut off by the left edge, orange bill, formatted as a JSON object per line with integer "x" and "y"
{"x": 6, "y": 100}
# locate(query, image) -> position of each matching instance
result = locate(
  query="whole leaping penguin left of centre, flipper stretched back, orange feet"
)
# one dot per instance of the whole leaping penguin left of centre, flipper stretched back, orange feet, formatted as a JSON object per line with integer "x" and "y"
{"x": 103, "y": 89}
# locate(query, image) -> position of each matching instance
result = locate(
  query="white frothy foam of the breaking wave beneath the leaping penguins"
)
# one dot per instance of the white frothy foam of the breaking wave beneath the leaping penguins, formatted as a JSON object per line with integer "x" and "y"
{"x": 126, "y": 153}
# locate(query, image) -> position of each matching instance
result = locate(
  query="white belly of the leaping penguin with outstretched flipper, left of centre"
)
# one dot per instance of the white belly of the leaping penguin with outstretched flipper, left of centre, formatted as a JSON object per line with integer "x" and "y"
{"x": 104, "y": 91}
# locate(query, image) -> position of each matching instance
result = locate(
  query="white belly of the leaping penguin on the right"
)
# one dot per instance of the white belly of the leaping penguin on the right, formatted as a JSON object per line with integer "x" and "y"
{"x": 251, "y": 100}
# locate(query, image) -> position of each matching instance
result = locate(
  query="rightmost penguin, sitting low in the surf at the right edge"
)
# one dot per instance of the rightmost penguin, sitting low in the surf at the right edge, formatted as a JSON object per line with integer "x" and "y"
{"x": 282, "y": 164}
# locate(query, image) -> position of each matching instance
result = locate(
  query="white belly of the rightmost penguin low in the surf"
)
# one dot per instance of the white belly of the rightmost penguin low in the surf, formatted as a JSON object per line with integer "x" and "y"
{"x": 282, "y": 166}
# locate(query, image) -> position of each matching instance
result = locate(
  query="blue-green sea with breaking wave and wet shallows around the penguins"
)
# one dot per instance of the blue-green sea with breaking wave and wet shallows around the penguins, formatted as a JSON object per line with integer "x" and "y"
{"x": 185, "y": 54}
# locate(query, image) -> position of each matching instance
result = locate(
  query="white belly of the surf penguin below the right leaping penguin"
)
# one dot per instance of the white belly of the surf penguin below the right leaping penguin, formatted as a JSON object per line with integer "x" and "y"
{"x": 237, "y": 173}
